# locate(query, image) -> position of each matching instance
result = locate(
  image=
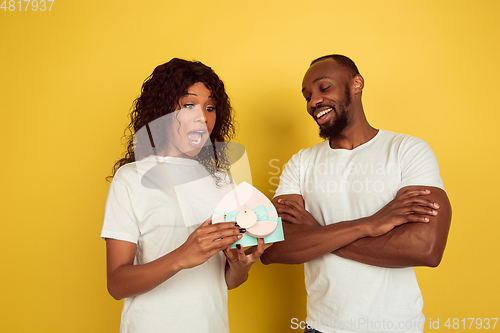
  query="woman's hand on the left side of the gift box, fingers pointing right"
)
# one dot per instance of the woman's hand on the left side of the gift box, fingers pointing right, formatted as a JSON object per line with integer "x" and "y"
{"x": 207, "y": 240}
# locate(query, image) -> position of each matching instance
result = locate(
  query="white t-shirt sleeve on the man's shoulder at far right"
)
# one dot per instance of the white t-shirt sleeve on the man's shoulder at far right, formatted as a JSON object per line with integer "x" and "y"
{"x": 419, "y": 165}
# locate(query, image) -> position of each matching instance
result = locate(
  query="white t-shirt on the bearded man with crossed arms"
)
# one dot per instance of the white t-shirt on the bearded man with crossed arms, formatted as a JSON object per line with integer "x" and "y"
{"x": 341, "y": 185}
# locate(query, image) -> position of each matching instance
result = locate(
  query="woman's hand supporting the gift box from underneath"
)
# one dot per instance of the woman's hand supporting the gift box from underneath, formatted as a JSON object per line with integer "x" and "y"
{"x": 239, "y": 262}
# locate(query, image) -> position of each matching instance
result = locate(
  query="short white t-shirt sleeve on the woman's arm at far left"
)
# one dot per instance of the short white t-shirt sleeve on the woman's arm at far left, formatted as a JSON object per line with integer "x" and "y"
{"x": 120, "y": 221}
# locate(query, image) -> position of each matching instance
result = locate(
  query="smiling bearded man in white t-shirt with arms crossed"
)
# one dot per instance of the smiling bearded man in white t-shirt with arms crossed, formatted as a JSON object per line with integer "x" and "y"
{"x": 361, "y": 209}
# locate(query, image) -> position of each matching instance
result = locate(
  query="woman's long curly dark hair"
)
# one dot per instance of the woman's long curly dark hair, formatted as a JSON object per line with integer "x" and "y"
{"x": 160, "y": 95}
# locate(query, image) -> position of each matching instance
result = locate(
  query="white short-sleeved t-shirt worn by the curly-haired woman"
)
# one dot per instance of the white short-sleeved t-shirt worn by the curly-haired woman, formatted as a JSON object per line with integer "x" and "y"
{"x": 159, "y": 219}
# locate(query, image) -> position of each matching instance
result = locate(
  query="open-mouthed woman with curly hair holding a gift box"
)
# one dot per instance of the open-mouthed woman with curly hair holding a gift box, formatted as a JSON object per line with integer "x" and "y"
{"x": 173, "y": 272}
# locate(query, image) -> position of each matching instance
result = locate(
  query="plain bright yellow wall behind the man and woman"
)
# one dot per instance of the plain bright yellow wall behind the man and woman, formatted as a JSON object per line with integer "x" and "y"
{"x": 68, "y": 78}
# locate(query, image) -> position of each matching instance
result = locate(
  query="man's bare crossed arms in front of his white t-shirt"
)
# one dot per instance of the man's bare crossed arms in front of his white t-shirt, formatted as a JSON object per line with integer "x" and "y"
{"x": 394, "y": 242}
